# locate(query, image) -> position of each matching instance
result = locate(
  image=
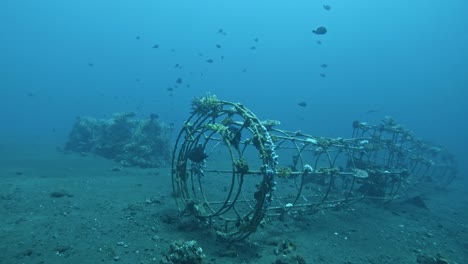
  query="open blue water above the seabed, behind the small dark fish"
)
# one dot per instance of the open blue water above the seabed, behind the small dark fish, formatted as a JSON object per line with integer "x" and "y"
{"x": 406, "y": 59}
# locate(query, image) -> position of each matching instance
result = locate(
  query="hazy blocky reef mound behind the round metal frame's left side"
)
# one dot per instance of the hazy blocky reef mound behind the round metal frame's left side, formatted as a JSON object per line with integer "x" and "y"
{"x": 123, "y": 138}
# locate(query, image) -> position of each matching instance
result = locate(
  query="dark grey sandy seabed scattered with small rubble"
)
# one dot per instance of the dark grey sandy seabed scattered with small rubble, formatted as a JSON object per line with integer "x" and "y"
{"x": 68, "y": 208}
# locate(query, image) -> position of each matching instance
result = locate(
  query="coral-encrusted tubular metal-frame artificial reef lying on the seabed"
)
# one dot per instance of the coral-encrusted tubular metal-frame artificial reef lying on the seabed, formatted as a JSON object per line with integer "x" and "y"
{"x": 231, "y": 170}
